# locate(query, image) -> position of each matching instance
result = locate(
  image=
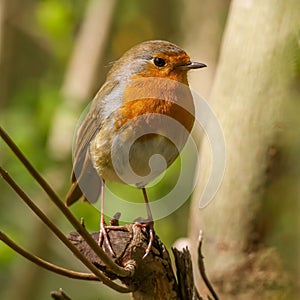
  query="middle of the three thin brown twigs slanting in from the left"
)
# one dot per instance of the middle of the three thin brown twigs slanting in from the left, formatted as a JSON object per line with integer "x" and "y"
{"x": 60, "y": 235}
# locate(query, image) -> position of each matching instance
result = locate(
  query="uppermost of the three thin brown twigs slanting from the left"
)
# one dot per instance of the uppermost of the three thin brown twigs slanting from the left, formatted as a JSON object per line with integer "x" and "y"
{"x": 113, "y": 267}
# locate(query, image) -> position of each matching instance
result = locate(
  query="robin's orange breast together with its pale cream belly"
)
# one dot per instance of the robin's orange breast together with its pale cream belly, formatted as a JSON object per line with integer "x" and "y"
{"x": 155, "y": 118}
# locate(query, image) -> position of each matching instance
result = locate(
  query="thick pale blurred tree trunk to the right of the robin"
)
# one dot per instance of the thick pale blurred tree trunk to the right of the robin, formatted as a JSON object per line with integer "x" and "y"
{"x": 251, "y": 226}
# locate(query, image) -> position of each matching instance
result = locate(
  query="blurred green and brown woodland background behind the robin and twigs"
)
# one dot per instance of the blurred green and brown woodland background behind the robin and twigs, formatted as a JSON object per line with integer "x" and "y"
{"x": 50, "y": 70}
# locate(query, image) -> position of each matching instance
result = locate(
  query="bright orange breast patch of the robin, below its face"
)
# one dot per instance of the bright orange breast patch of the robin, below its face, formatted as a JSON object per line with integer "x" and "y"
{"x": 153, "y": 95}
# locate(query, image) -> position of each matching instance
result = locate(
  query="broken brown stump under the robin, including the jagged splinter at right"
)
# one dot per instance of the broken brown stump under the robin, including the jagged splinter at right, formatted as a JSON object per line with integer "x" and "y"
{"x": 153, "y": 275}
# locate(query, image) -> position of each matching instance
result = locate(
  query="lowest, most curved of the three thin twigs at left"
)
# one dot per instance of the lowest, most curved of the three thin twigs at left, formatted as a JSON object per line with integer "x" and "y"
{"x": 45, "y": 264}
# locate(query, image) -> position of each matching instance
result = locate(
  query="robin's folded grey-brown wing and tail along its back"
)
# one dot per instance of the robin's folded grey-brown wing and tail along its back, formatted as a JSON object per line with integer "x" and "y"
{"x": 85, "y": 179}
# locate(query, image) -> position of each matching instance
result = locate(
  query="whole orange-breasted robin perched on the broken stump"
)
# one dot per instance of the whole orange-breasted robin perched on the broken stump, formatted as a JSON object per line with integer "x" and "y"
{"x": 144, "y": 108}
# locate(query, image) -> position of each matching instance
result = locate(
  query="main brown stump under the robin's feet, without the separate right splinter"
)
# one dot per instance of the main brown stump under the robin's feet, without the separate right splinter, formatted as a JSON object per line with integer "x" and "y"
{"x": 153, "y": 277}
